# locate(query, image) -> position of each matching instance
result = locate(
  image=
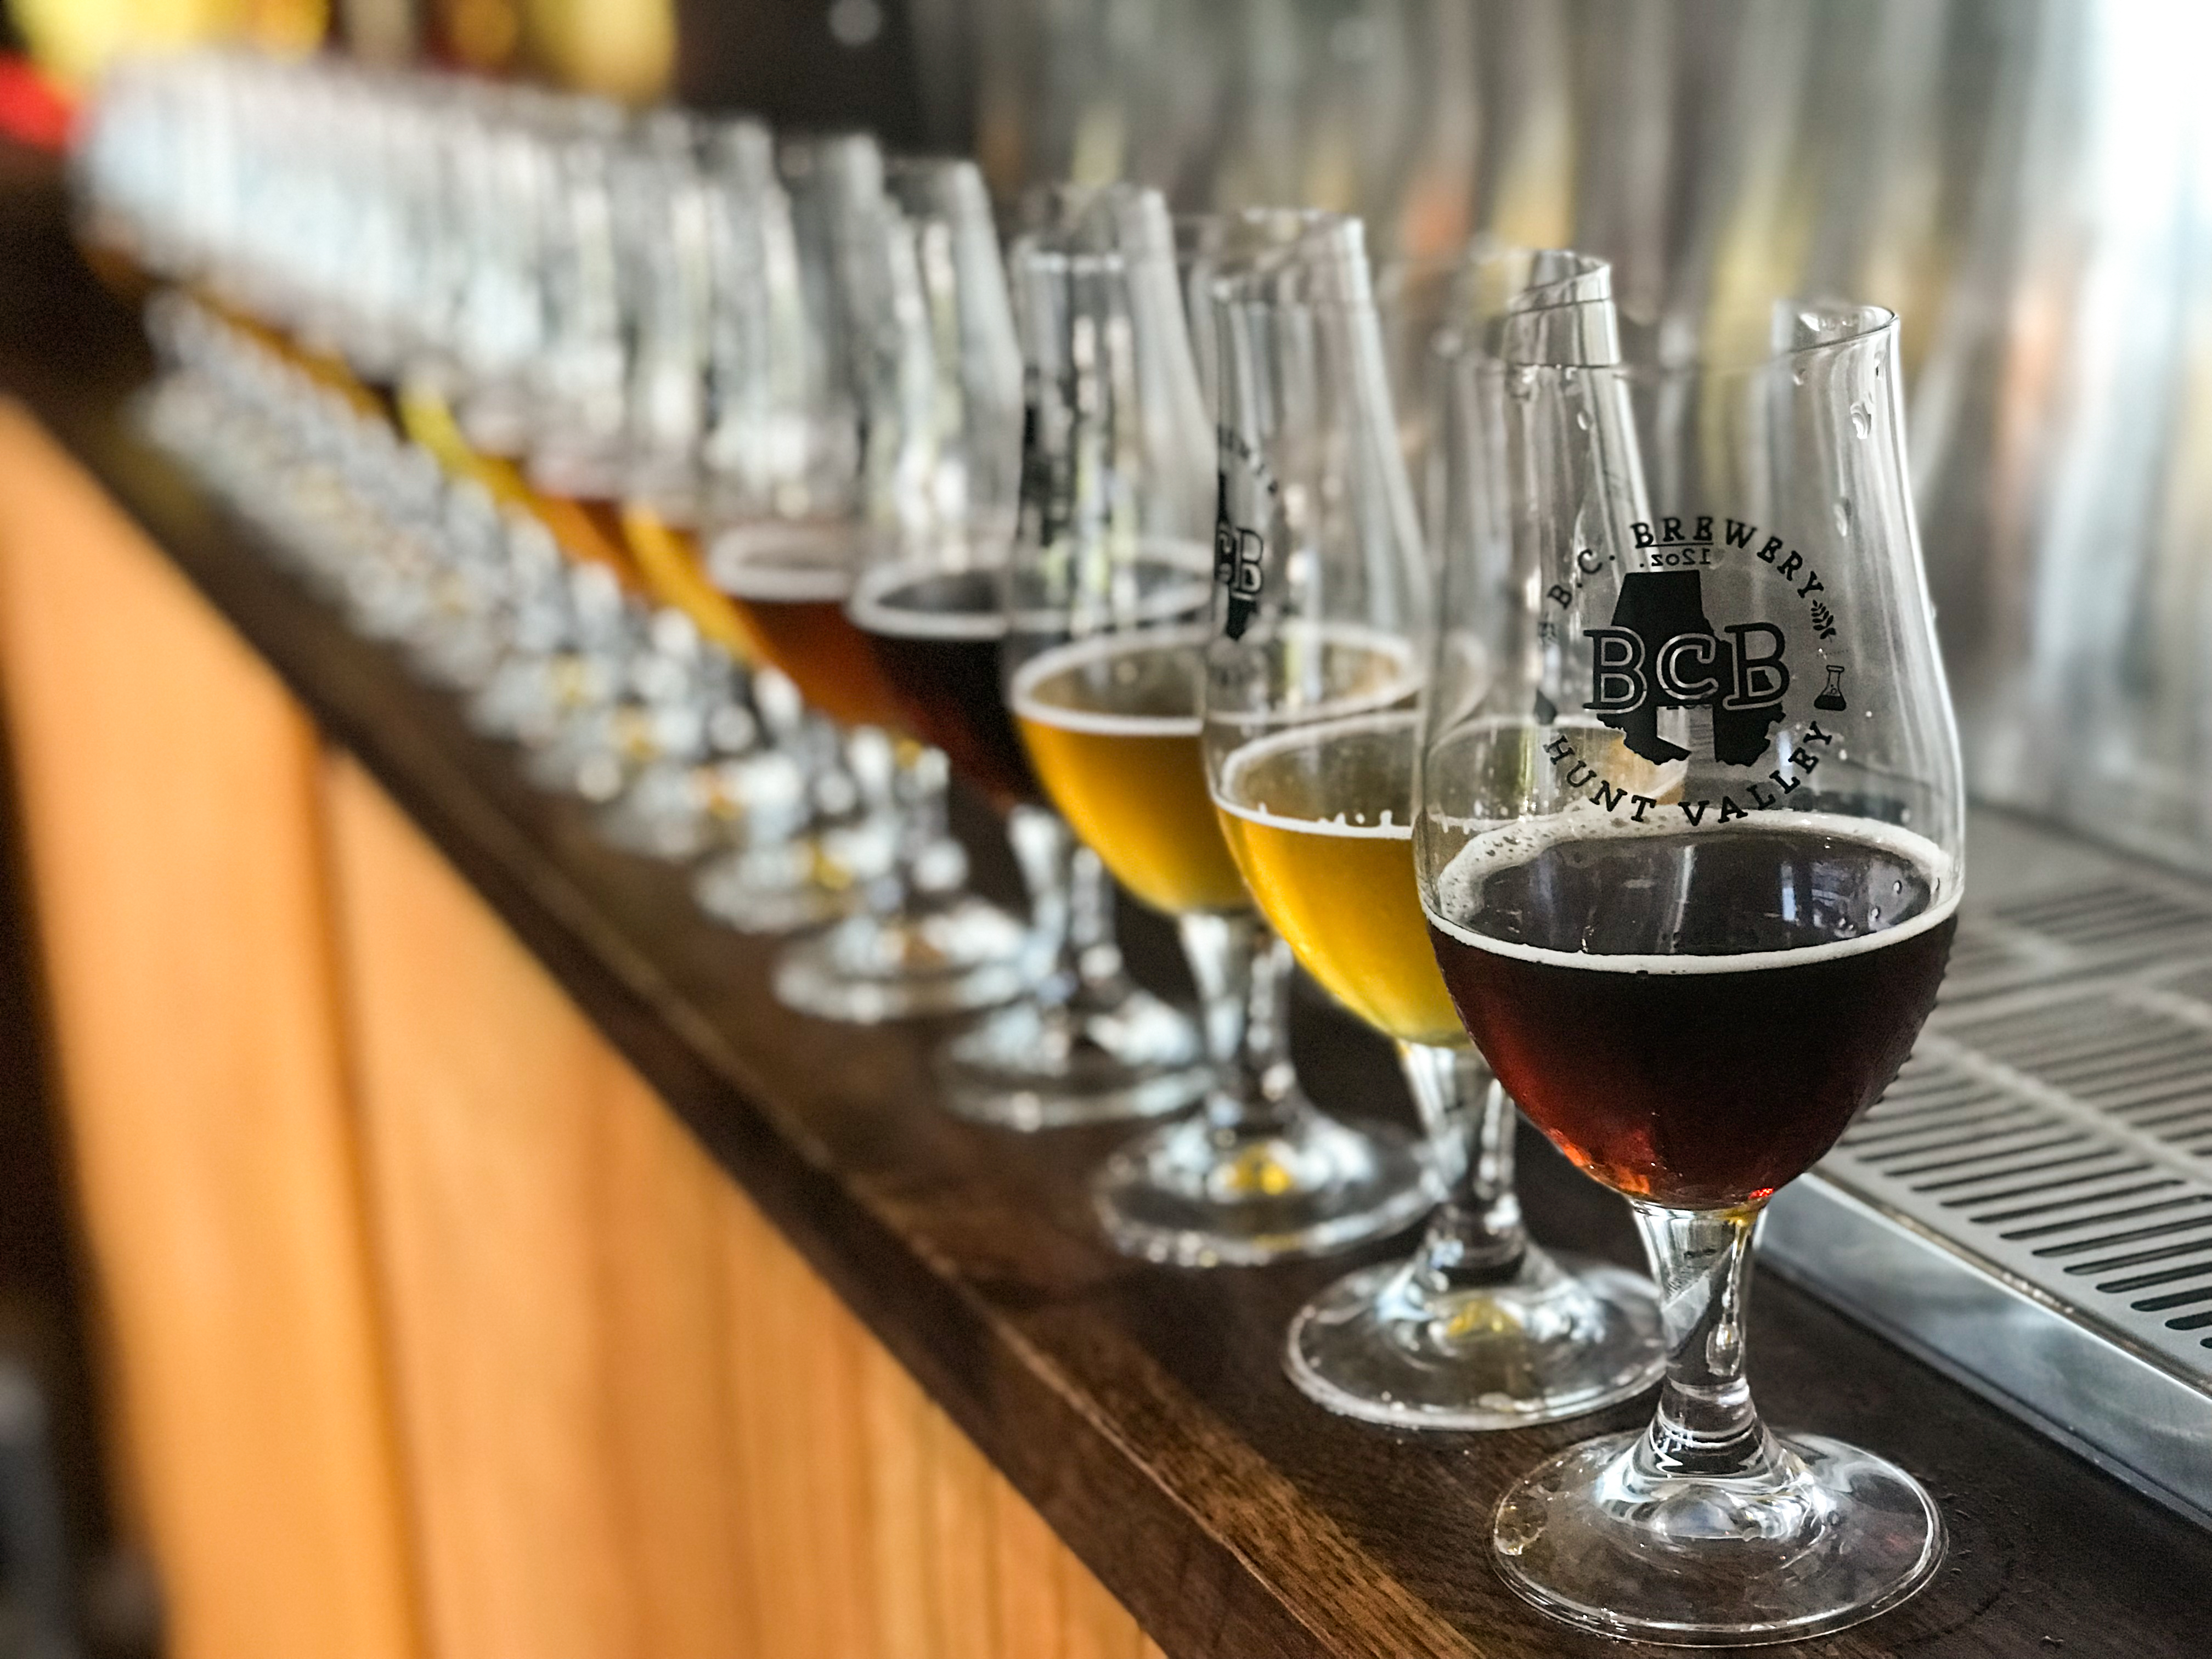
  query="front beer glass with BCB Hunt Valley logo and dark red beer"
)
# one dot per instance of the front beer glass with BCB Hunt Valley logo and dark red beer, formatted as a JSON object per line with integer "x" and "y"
{"x": 1691, "y": 853}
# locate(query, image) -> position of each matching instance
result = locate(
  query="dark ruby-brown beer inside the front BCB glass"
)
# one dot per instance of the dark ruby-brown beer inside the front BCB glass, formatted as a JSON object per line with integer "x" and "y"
{"x": 1642, "y": 992}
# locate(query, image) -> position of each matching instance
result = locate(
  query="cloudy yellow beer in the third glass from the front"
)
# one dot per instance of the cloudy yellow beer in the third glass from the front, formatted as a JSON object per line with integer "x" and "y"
{"x": 1114, "y": 731}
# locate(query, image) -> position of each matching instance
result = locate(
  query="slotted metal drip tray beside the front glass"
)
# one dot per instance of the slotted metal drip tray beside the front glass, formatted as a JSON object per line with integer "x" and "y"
{"x": 2032, "y": 1202}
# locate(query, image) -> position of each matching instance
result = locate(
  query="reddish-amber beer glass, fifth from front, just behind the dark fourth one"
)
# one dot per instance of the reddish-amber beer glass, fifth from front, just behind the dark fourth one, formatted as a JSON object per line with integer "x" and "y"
{"x": 851, "y": 459}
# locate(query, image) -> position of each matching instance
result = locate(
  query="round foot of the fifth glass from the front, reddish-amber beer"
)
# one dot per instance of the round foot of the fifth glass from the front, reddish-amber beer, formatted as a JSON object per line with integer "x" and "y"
{"x": 954, "y": 954}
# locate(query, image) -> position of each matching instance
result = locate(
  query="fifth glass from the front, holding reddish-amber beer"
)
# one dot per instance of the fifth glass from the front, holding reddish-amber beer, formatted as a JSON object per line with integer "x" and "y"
{"x": 868, "y": 468}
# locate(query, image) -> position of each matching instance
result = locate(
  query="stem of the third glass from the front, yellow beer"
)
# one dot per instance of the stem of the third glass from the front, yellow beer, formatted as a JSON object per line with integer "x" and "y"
{"x": 1242, "y": 972}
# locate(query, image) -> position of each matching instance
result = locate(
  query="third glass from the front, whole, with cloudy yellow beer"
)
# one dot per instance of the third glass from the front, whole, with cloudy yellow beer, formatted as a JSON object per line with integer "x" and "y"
{"x": 1114, "y": 598}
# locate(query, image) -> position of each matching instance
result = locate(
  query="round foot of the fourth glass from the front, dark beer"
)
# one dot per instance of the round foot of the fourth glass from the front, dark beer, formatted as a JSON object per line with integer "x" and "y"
{"x": 1092, "y": 1061}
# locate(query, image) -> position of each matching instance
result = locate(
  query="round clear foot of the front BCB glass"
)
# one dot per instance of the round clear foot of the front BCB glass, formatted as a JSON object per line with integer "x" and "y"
{"x": 1815, "y": 1538}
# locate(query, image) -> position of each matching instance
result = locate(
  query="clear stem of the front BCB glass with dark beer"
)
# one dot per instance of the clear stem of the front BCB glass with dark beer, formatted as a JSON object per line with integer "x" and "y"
{"x": 1707, "y": 1423}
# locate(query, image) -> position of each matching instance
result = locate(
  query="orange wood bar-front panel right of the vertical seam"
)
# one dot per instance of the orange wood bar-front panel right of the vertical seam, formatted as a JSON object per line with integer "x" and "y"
{"x": 636, "y": 1421}
